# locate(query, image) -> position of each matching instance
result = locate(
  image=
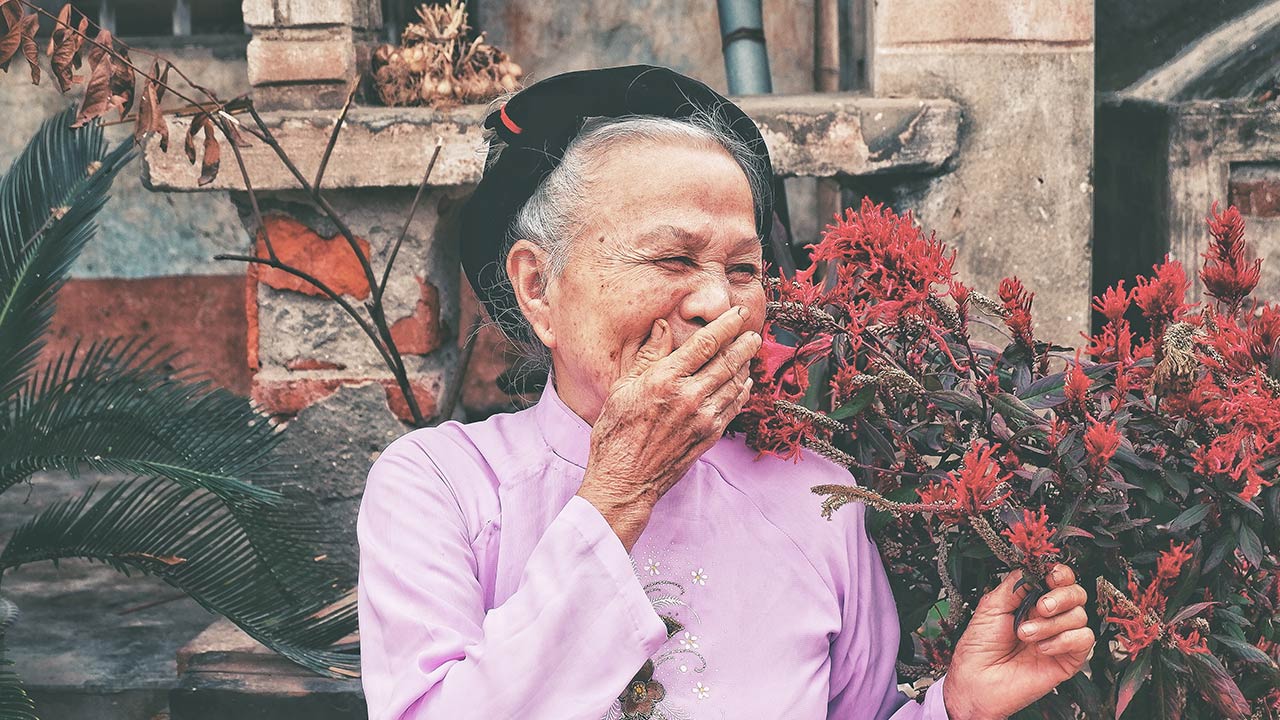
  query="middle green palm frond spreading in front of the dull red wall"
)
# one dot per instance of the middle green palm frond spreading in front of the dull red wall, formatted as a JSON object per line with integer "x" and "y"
{"x": 118, "y": 408}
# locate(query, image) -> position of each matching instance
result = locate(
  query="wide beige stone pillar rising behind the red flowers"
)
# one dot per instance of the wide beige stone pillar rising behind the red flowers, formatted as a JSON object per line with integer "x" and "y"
{"x": 1020, "y": 200}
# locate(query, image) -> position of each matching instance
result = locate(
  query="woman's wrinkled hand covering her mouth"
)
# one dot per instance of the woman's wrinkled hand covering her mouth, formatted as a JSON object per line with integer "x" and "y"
{"x": 664, "y": 414}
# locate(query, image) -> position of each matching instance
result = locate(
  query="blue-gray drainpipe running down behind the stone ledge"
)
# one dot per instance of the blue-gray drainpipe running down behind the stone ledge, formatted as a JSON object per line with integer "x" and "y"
{"x": 747, "y": 67}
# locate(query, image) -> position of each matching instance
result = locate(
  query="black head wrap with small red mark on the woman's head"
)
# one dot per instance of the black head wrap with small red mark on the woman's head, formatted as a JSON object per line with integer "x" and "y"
{"x": 540, "y": 122}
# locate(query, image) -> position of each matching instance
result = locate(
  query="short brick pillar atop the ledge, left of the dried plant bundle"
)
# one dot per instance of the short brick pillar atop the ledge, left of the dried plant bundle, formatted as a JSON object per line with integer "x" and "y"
{"x": 307, "y": 54}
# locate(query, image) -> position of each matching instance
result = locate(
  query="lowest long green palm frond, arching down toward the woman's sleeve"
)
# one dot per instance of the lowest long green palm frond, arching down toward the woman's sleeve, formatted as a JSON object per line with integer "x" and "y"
{"x": 191, "y": 540}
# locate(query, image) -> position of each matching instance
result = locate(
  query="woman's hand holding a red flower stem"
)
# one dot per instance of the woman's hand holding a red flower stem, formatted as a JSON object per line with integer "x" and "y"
{"x": 995, "y": 672}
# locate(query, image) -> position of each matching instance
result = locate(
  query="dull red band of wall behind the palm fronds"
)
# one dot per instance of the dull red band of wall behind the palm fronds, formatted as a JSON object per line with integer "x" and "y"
{"x": 203, "y": 317}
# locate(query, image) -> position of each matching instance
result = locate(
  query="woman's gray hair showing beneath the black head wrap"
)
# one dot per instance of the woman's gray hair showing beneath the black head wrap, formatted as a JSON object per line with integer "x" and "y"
{"x": 556, "y": 213}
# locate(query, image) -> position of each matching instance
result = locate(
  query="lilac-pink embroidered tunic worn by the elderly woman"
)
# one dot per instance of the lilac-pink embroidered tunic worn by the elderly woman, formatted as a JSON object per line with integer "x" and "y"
{"x": 488, "y": 590}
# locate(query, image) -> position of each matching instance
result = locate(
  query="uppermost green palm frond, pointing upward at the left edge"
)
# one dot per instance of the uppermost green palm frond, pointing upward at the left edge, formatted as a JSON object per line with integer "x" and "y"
{"x": 48, "y": 202}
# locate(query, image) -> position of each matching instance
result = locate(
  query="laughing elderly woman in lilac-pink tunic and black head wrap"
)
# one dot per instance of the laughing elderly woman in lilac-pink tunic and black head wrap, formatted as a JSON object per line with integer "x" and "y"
{"x": 610, "y": 553}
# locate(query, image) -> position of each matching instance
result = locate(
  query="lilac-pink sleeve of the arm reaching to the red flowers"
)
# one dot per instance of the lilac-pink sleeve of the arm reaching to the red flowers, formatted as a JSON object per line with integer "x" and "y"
{"x": 865, "y": 655}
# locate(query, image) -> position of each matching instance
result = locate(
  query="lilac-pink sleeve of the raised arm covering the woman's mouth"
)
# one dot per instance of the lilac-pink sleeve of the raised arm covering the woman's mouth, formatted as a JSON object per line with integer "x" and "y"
{"x": 561, "y": 648}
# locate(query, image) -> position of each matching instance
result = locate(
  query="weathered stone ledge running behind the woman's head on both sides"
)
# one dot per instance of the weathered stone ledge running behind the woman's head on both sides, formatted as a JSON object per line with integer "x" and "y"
{"x": 808, "y": 135}
